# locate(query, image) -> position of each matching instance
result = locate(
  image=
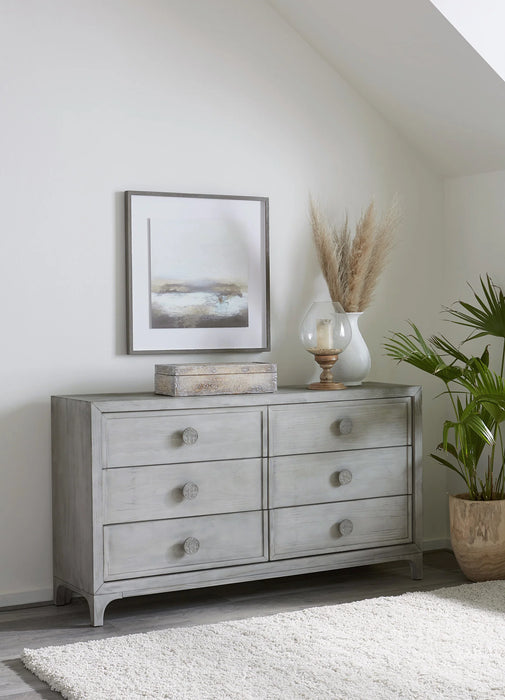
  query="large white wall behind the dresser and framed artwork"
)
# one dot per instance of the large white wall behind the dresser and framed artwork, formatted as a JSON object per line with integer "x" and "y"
{"x": 218, "y": 97}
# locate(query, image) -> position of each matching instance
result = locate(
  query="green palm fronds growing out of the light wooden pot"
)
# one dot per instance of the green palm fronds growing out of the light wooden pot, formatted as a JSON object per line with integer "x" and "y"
{"x": 476, "y": 391}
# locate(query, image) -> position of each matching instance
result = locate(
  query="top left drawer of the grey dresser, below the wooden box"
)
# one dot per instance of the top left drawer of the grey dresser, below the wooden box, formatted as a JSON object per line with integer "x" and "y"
{"x": 132, "y": 439}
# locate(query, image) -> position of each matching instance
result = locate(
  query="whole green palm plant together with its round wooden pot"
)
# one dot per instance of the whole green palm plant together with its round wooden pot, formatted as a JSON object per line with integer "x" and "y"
{"x": 472, "y": 442}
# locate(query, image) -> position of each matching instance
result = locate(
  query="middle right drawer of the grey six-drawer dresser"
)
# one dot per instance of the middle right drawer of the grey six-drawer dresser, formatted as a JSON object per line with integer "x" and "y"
{"x": 339, "y": 476}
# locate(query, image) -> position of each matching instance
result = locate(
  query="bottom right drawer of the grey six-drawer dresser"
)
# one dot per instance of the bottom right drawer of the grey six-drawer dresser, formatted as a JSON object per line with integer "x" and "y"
{"x": 332, "y": 527}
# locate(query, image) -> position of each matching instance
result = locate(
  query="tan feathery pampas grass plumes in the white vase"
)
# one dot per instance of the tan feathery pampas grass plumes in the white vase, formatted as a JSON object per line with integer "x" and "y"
{"x": 351, "y": 265}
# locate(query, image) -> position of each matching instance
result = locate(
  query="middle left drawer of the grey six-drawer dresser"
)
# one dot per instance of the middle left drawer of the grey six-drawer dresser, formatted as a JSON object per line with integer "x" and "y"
{"x": 181, "y": 490}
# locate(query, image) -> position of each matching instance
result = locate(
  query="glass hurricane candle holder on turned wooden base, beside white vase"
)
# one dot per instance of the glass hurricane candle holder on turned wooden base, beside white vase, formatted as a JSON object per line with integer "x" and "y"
{"x": 325, "y": 332}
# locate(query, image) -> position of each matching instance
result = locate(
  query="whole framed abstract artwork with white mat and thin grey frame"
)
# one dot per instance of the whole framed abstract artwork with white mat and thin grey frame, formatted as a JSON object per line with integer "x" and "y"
{"x": 197, "y": 273}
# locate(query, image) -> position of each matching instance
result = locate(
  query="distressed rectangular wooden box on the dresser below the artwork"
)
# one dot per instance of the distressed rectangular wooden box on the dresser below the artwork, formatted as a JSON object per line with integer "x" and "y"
{"x": 214, "y": 379}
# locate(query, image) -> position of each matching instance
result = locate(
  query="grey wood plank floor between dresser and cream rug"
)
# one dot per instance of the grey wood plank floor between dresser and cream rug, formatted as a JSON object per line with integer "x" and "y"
{"x": 47, "y": 625}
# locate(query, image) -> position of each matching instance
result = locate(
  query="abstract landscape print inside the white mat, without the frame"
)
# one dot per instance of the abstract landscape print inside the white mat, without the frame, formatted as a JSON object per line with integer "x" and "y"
{"x": 199, "y": 274}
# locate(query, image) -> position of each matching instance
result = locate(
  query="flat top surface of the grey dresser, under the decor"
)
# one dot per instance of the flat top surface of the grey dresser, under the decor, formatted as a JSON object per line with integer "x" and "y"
{"x": 284, "y": 395}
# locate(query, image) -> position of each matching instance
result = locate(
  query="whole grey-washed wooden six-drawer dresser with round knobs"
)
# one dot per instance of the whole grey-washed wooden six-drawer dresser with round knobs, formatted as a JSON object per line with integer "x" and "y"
{"x": 154, "y": 493}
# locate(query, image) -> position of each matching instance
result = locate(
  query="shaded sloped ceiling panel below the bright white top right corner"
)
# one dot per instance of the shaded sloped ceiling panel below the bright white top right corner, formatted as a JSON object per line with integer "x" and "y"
{"x": 408, "y": 61}
